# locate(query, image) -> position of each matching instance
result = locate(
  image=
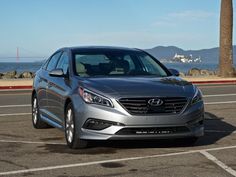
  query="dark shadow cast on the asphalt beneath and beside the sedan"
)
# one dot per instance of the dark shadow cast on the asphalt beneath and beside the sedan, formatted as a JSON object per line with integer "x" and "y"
{"x": 215, "y": 129}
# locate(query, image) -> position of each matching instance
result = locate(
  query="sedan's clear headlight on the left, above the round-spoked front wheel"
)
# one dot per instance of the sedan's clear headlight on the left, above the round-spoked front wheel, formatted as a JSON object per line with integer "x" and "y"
{"x": 94, "y": 98}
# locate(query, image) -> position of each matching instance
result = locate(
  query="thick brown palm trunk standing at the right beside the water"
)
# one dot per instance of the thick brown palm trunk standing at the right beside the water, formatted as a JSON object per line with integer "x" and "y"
{"x": 226, "y": 68}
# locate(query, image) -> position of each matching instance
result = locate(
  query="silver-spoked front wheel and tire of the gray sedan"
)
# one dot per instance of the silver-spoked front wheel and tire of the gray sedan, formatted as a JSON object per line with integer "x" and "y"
{"x": 71, "y": 134}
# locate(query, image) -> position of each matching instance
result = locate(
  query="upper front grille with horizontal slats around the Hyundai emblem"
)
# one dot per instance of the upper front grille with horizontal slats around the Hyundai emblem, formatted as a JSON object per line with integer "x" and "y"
{"x": 171, "y": 105}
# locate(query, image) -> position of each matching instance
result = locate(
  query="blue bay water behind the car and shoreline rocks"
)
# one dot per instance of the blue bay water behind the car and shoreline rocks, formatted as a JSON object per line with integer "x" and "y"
{"x": 34, "y": 66}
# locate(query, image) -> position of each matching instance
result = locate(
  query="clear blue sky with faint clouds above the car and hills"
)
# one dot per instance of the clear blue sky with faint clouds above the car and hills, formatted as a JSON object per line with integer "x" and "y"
{"x": 40, "y": 27}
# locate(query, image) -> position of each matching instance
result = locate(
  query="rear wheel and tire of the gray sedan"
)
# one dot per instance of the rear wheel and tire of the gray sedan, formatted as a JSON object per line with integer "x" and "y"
{"x": 36, "y": 119}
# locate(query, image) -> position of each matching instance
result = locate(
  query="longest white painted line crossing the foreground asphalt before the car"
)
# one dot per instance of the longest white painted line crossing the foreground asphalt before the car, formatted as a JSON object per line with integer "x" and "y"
{"x": 109, "y": 161}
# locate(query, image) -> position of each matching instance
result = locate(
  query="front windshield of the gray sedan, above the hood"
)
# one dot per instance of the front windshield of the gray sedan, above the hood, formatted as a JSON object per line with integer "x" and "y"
{"x": 117, "y": 63}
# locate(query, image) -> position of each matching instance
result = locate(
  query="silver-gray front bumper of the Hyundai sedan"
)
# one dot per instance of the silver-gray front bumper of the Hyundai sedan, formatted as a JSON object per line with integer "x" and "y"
{"x": 188, "y": 123}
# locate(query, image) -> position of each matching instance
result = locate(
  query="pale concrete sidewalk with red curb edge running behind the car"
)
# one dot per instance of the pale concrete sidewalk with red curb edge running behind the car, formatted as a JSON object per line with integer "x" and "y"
{"x": 27, "y": 83}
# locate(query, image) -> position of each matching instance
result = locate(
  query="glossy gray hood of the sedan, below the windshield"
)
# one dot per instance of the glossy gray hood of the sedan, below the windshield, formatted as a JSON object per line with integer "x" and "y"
{"x": 139, "y": 86}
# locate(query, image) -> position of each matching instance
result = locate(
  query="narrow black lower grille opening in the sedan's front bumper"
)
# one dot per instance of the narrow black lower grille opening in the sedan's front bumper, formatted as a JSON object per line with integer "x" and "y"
{"x": 153, "y": 131}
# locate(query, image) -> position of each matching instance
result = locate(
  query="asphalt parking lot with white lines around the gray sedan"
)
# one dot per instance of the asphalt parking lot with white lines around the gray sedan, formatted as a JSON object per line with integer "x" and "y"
{"x": 26, "y": 151}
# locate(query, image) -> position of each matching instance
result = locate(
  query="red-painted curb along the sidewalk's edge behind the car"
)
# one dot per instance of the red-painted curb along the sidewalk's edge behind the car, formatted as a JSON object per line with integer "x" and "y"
{"x": 29, "y": 87}
